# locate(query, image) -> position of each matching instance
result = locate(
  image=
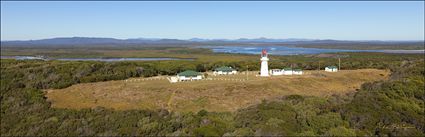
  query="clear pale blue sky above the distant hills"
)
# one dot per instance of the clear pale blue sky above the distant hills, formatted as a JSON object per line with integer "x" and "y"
{"x": 214, "y": 20}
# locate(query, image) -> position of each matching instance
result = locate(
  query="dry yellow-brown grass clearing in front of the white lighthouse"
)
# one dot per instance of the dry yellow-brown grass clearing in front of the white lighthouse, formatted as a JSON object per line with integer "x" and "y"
{"x": 212, "y": 95}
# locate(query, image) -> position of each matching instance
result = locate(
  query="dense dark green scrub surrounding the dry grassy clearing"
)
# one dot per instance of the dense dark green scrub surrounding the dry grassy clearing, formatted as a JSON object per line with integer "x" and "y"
{"x": 393, "y": 107}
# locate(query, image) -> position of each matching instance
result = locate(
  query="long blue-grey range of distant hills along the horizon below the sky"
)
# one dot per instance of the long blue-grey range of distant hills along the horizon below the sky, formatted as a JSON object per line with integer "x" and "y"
{"x": 157, "y": 42}
